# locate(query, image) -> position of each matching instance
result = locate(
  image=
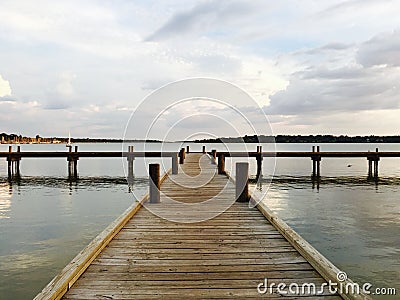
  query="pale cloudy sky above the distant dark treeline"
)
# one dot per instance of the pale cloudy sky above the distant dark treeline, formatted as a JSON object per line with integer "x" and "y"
{"x": 313, "y": 67}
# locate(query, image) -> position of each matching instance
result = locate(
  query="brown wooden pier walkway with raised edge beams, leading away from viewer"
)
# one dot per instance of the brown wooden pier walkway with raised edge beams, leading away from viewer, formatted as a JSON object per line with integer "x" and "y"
{"x": 144, "y": 256}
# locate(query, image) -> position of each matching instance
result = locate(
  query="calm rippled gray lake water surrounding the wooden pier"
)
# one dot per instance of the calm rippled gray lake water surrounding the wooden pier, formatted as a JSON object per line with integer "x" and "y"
{"x": 45, "y": 220}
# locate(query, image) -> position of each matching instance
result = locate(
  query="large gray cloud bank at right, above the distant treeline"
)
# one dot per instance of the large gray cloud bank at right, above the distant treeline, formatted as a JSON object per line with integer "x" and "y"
{"x": 323, "y": 87}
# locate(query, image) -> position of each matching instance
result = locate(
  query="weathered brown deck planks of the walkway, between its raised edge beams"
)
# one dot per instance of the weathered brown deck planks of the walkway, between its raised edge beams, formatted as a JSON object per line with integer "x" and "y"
{"x": 224, "y": 257}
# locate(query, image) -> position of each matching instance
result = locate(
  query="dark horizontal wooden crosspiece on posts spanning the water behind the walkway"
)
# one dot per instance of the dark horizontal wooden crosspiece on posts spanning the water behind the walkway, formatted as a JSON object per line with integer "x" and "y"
{"x": 316, "y": 156}
